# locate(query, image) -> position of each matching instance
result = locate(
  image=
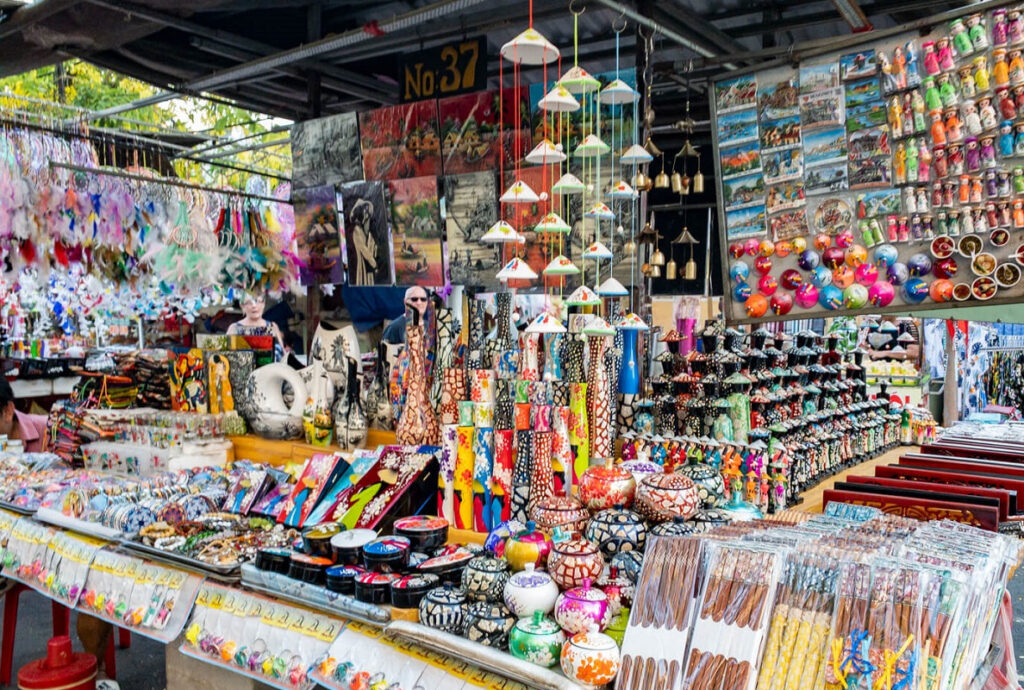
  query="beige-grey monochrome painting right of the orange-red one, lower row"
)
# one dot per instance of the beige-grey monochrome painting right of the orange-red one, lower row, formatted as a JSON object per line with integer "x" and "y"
{"x": 471, "y": 209}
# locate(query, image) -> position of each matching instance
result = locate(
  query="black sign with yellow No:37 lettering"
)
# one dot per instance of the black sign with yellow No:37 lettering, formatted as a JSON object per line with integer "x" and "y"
{"x": 445, "y": 71}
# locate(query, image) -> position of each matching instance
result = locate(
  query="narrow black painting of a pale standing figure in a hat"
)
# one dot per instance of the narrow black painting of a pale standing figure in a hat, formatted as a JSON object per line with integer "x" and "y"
{"x": 367, "y": 237}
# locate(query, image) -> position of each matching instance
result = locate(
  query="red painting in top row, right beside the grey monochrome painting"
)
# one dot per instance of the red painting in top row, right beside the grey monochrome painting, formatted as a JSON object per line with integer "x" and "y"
{"x": 401, "y": 142}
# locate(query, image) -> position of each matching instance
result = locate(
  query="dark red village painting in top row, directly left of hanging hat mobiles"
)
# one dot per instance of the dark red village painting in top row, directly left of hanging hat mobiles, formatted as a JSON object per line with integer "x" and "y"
{"x": 471, "y": 126}
